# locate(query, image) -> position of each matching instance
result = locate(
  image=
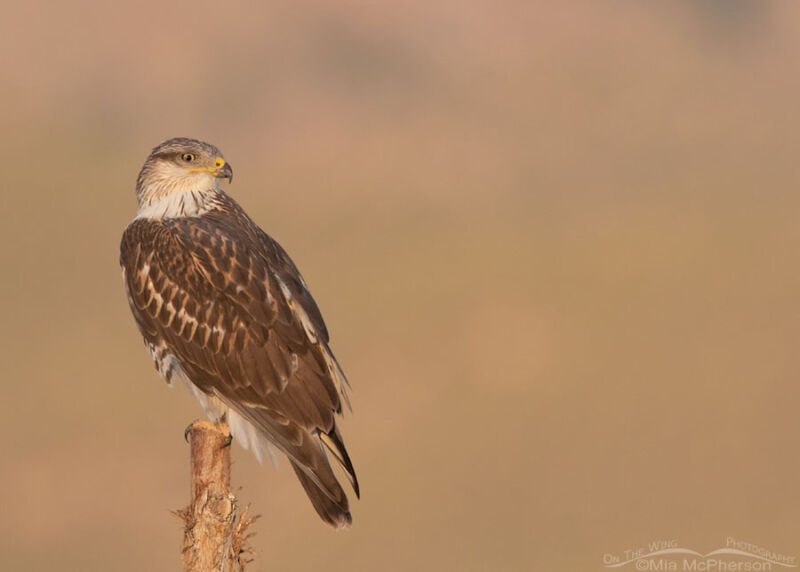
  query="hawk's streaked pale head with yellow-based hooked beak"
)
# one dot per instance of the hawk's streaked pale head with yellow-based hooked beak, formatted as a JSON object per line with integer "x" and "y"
{"x": 178, "y": 165}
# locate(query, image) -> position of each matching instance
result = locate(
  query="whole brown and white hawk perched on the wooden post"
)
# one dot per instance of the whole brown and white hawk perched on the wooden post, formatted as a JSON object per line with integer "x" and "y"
{"x": 223, "y": 308}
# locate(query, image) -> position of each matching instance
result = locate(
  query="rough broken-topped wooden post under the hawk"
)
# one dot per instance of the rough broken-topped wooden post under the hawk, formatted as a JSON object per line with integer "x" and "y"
{"x": 214, "y": 532}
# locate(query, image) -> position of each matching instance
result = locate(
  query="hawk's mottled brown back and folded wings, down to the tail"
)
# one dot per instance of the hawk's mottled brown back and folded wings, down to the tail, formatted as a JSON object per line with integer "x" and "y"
{"x": 233, "y": 309}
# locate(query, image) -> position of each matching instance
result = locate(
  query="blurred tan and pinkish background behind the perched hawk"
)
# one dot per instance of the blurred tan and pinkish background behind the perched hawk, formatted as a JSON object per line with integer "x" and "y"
{"x": 556, "y": 245}
